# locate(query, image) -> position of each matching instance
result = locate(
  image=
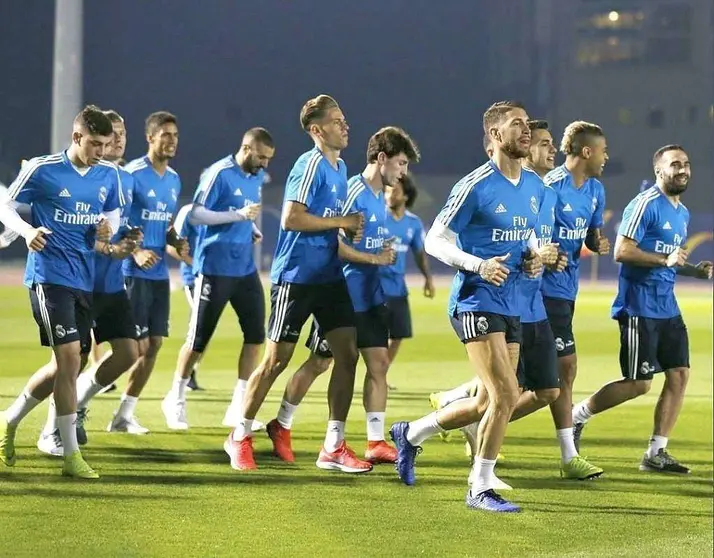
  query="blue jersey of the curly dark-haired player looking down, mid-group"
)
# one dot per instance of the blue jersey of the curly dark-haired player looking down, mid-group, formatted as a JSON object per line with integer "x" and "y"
{"x": 363, "y": 281}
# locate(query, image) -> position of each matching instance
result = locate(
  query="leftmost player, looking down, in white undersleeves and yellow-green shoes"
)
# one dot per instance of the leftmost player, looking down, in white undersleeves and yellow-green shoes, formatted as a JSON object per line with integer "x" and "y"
{"x": 70, "y": 194}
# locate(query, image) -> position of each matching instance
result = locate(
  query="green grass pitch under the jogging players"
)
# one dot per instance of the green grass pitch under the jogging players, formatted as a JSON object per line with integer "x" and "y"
{"x": 175, "y": 494}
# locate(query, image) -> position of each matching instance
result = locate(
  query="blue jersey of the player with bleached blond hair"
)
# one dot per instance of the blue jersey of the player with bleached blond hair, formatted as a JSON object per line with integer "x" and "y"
{"x": 577, "y": 210}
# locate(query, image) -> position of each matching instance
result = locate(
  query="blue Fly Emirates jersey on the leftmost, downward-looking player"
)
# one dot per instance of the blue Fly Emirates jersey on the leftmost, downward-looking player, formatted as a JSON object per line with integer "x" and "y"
{"x": 68, "y": 201}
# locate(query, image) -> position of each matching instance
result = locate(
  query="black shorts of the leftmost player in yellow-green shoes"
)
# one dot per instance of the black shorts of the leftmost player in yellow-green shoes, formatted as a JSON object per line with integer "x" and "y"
{"x": 63, "y": 315}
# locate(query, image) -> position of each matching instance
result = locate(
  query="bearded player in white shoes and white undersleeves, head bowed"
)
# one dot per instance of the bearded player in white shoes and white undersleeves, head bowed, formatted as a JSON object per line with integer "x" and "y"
{"x": 226, "y": 202}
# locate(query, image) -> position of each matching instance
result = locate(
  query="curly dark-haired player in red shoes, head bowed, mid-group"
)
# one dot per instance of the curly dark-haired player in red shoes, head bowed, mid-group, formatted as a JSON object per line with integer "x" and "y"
{"x": 389, "y": 153}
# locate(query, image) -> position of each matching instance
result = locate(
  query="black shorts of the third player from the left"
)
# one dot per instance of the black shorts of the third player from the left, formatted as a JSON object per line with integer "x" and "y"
{"x": 150, "y": 304}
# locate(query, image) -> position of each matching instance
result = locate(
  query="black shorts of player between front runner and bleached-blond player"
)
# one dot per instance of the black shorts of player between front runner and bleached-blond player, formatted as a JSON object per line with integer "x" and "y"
{"x": 538, "y": 363}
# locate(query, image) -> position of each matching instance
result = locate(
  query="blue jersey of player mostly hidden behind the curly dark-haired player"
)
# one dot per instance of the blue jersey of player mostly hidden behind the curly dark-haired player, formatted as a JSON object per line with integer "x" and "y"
{"x": 407, "y": 234}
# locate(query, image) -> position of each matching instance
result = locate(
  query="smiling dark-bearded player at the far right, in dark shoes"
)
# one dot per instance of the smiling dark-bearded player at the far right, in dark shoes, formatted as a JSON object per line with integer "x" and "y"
{"x": 651, "y": 247}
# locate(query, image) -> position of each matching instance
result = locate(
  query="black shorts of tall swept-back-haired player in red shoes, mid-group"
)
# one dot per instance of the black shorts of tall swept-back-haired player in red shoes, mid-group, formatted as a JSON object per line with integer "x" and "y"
{"x": 291, "y": 304}
